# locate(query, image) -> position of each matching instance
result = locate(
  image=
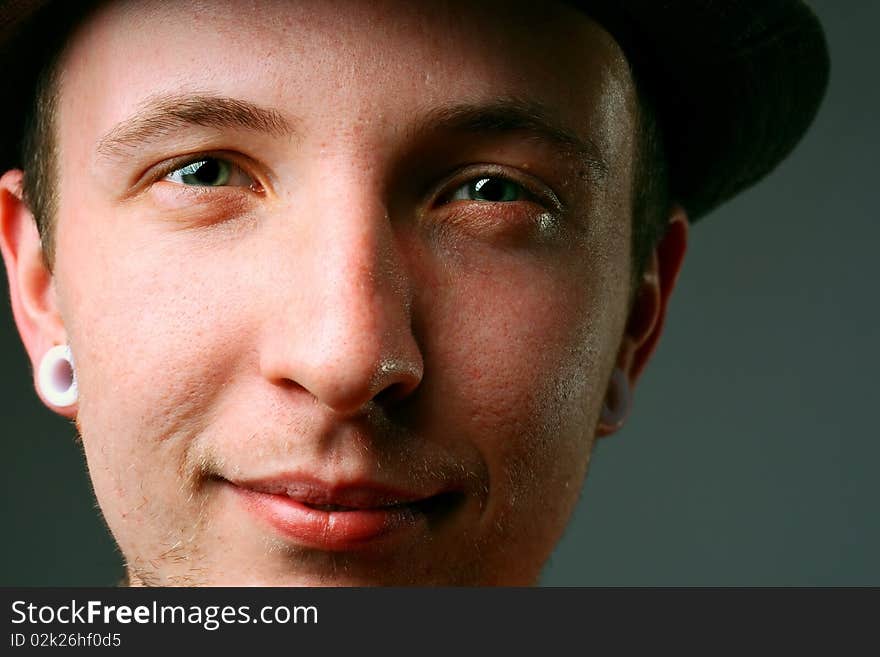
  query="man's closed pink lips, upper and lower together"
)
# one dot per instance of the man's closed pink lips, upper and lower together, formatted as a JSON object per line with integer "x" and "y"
{"x": 338, "y": 517}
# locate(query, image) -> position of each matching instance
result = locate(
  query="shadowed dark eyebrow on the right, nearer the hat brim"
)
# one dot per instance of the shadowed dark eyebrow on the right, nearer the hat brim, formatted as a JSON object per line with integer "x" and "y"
{"x": 513, "y": 115}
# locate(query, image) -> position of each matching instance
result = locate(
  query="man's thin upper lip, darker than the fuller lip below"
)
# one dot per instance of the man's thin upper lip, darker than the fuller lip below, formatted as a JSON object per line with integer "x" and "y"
{"x": 350, "y": 494}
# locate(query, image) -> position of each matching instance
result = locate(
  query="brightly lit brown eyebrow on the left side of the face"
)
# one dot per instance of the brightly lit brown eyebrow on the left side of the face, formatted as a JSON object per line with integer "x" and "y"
{"x": 161, "y": 115}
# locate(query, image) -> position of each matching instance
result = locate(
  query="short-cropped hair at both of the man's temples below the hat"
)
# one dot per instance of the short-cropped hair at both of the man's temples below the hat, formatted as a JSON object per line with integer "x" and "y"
{"x": 650, "y": 194}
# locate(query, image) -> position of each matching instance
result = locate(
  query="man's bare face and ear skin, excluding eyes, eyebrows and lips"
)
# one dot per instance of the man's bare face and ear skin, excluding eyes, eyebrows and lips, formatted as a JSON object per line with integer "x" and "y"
{"x": 340, "y": 309}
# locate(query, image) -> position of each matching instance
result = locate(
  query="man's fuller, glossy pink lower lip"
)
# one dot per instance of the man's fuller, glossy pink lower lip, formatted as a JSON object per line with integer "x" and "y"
{"x": 329, "y": 530}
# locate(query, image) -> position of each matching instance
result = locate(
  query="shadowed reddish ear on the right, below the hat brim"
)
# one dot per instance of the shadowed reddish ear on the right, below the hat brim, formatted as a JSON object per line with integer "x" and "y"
{"x": 645, "y": 323}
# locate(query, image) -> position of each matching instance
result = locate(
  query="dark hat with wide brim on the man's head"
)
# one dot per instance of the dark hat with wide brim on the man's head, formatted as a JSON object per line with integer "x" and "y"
{"x": 735, "y": 83}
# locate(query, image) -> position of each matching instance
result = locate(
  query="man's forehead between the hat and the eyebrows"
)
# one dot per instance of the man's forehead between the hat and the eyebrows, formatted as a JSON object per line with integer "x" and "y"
{"x": 380, "y": 62}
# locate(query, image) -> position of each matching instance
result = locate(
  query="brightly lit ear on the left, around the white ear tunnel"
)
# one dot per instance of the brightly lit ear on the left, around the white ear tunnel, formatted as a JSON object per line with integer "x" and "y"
{"x": 31, "y": 287}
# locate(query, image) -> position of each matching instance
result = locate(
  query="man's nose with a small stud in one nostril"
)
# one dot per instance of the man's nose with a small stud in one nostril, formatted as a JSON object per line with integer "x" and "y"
{"x": 340, "y": 321}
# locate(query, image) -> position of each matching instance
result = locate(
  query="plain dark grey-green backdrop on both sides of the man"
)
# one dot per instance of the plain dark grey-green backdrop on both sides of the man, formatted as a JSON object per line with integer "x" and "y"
{"x": 751, "y": 453}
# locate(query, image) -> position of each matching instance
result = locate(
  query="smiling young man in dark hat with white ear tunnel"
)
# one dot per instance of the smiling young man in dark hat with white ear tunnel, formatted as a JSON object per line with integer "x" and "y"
{"x": 344, "y": 292}
